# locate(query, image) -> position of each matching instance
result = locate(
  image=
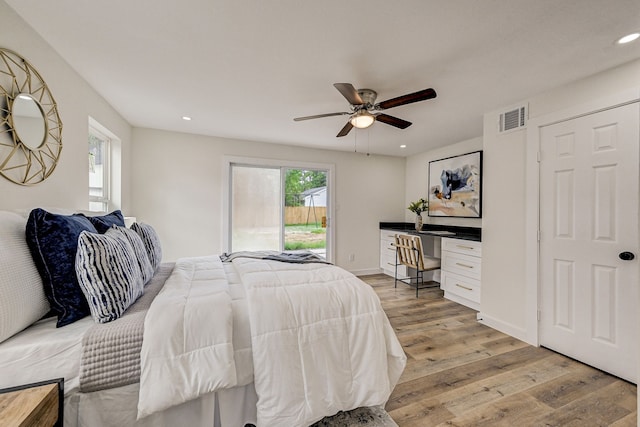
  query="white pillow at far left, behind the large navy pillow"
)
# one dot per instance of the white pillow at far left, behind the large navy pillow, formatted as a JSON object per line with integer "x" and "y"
{"x": 22, "y": 298}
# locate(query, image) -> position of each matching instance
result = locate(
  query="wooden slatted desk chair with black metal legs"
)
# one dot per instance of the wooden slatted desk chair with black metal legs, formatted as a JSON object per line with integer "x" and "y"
{"x": 409, "y": 252}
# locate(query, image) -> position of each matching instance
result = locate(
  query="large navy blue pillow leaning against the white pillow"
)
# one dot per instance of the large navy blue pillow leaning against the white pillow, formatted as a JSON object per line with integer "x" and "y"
{"x": 53, "y": 242}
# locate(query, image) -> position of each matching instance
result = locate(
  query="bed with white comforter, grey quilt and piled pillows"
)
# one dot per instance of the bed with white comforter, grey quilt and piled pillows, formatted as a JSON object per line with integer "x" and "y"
{"x": 255, "y": 339}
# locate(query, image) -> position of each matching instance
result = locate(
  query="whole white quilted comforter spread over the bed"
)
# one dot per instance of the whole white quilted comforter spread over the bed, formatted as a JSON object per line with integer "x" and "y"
{"x": 321, "y": 341}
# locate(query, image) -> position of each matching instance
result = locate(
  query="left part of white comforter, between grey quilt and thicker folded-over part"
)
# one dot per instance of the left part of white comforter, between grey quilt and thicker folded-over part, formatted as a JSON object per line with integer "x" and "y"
{"x": 187, "y": 346}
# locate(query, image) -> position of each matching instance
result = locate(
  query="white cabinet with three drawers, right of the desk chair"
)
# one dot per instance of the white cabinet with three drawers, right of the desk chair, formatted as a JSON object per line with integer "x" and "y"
{"x": 460, "y": 271}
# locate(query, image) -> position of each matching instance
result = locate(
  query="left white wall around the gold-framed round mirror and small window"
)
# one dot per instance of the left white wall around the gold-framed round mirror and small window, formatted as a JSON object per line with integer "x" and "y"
{"x": 67, "y": 187}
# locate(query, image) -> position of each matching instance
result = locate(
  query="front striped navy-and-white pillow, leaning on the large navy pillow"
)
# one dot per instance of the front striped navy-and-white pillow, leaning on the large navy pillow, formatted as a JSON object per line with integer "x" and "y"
{"x": 108, "y": 273}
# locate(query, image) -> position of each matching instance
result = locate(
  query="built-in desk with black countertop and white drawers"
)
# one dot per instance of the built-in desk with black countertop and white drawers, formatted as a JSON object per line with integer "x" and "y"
{"x": 459, "y": 249}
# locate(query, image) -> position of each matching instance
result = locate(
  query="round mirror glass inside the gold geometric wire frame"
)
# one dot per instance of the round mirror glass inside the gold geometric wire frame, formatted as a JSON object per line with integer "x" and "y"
{"x": 28, "y": 121}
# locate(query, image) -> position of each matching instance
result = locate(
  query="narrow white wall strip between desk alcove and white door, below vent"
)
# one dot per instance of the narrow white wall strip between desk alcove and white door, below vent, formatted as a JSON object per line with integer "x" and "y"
{"x": 503, "y": 294}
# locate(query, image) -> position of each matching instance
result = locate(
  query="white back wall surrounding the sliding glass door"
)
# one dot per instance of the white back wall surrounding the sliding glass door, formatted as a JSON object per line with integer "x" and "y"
{"x": 178, "y": 188}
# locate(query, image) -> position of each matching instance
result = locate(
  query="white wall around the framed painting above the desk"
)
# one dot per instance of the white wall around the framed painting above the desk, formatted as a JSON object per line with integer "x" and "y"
{"x": 417, "y": 180}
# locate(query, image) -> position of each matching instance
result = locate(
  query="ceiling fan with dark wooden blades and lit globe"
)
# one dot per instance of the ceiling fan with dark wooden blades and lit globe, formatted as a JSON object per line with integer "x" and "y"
{"x": 365, "y": 110}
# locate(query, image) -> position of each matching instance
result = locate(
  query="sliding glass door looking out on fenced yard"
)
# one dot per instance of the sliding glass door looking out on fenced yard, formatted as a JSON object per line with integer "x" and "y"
{"x": 279, "y": 208}
